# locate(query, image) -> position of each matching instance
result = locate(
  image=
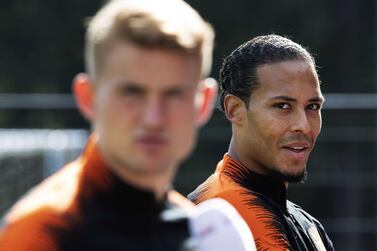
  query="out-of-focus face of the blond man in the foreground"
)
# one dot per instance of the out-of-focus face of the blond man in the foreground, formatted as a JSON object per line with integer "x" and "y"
{"x": 145, "y": 113}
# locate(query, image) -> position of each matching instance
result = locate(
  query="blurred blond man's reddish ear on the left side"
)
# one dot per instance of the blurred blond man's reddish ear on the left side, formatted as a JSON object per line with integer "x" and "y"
{"x": 83, "y": 91}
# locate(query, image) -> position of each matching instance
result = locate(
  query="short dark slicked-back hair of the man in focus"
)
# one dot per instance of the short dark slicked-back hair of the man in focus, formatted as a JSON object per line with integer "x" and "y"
{"x": 238, "y": 71}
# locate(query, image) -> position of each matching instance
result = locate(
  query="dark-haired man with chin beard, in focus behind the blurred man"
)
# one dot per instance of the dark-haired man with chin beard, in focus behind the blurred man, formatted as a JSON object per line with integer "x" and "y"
{"x": 270, "y": 92}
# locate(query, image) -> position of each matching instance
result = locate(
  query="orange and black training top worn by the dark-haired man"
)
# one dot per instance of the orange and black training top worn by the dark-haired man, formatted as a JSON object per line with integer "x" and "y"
{"x": 276, "y": 223}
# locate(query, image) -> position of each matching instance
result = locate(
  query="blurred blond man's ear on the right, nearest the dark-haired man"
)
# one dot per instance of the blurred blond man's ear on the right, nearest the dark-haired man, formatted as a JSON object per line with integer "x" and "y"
{"x": 206, "y": 100}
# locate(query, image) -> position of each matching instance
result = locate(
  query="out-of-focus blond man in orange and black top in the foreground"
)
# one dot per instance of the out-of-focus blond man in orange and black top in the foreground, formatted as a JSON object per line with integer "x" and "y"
{"x": 146, "y": 94}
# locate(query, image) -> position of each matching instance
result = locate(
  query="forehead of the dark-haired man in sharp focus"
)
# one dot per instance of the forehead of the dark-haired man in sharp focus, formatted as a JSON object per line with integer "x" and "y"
{"x": 289, "y": 78}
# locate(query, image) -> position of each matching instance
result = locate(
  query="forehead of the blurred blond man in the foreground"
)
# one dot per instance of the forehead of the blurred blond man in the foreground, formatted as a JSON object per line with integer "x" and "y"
{"x": 150, "y": 67}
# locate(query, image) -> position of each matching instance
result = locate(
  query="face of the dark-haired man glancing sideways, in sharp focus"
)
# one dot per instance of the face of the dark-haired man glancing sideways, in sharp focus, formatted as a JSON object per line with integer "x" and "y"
{"x": 283, "y": 119}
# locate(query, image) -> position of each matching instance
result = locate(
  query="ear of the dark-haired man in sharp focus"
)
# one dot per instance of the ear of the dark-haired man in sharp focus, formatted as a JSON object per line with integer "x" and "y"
{"x": 234, "y": 109}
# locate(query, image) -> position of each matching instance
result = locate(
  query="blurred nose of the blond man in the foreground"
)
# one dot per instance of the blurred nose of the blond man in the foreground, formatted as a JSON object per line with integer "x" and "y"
{"x": 153, "y": 114}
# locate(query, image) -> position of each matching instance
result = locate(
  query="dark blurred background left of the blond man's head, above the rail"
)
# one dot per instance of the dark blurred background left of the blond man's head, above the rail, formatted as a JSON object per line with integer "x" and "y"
{"x": 41, "y": 44}
